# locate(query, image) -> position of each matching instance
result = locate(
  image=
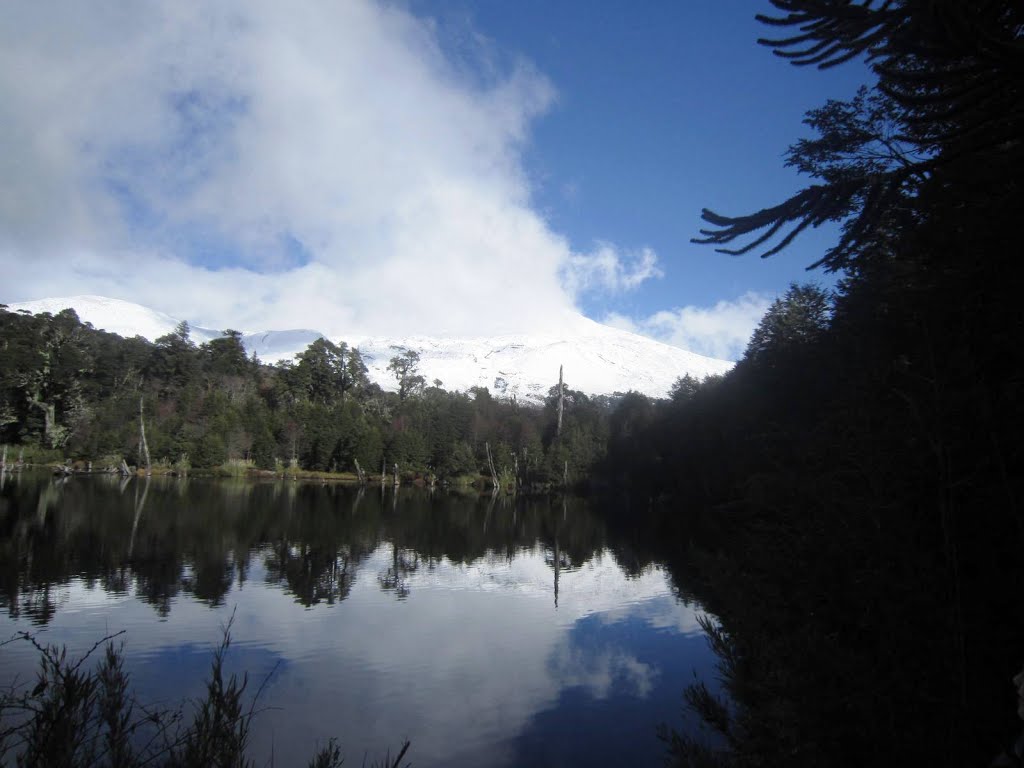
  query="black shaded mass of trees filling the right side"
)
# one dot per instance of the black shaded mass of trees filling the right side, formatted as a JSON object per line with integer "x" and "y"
{"x": 851, "y": 491}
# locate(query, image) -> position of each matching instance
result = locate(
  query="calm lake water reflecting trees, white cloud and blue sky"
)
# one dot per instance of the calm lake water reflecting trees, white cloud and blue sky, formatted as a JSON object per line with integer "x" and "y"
{"x": 488, "y": 632}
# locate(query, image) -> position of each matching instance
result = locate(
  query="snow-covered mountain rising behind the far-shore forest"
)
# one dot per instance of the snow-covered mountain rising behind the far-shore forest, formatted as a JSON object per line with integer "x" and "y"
{"x": 598, "y": 360}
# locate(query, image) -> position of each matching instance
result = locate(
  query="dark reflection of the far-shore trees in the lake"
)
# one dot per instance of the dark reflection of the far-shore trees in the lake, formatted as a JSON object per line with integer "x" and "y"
{"x": 159, "y": 539}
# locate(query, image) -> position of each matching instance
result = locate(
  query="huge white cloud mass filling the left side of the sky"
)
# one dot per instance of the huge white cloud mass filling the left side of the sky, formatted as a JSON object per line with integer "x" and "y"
{"x": 263, "y": 164}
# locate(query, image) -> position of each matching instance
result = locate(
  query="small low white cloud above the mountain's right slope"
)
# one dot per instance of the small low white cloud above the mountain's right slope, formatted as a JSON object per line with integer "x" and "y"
{"x": 721, "y": 331}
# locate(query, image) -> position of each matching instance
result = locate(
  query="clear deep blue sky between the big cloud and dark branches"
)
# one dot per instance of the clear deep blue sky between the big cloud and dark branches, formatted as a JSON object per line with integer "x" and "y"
{"x": 664, "y": 108}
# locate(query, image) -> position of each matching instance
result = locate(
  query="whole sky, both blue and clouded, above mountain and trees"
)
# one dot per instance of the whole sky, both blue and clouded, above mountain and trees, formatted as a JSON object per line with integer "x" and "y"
{"x": 433, "y": 167}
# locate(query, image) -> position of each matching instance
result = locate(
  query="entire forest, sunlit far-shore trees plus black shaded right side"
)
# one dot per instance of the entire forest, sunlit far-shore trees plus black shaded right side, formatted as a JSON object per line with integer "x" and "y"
{"x": 845, "y": 502}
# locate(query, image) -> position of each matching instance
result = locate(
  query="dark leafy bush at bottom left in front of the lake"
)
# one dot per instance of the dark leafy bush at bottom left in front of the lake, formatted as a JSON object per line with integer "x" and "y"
{"x": 79, "y": 715}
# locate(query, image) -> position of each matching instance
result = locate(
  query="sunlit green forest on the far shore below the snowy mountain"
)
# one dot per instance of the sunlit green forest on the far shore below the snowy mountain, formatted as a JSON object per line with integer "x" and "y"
{"x": 69, "y": 392}
